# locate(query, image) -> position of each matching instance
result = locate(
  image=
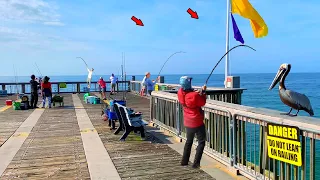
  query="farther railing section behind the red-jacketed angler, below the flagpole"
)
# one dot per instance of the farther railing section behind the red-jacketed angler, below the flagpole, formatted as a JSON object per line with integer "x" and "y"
{"x": 231, "y": 95}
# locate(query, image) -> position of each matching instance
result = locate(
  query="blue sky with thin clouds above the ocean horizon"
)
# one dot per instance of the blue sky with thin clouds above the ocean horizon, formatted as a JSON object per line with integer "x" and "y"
{"x": 52, "y": 33}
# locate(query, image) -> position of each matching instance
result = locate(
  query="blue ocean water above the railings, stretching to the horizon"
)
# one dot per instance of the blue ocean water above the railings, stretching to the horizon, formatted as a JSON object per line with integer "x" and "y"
{"x": 257, "y": 85}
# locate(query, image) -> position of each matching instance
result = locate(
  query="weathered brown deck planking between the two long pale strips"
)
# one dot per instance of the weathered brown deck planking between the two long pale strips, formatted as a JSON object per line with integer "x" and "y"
{"x": 52, "y": 150}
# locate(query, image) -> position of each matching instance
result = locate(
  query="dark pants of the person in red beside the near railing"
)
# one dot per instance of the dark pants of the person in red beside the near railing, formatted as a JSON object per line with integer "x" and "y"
{"x": 201, "y": 136}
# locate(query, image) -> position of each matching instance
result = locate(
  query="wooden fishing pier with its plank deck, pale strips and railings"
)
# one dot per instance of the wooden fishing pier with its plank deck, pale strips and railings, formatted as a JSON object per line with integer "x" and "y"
{"x": 74, "y": 142}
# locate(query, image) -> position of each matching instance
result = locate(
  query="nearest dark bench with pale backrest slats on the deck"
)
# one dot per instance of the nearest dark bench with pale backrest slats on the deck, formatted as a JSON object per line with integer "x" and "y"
{"x": 130, "y": 123}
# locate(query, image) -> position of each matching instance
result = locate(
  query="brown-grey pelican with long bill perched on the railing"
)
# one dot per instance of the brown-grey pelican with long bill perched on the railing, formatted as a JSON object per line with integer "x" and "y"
{"x": 292, "y": 99}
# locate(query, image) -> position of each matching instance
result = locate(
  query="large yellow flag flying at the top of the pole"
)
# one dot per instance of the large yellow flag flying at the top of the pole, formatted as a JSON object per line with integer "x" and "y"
{"x": 245, "y": 9}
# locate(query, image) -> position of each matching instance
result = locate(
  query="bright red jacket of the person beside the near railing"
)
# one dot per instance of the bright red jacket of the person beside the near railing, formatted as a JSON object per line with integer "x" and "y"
{"x": 192, "y": 102}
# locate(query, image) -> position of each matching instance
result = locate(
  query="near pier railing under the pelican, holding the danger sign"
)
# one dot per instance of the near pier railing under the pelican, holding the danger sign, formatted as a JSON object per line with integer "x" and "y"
{"x": 237, "y": 137}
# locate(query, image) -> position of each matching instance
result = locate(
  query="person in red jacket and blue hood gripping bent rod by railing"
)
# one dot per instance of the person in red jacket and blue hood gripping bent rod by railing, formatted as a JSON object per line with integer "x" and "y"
{"x": 193, "y": 115}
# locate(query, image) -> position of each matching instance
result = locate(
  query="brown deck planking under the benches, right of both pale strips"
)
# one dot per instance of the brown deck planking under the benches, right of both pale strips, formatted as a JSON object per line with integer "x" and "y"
{"x": 137, "y": 159}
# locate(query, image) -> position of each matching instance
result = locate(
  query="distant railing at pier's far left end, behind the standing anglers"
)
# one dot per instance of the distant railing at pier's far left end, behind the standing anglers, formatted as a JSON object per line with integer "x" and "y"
{"x": 64, "y": 87}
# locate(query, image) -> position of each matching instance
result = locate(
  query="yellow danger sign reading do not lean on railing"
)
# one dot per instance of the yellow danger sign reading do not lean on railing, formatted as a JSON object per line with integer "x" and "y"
{"x": 283, "y": 143}
